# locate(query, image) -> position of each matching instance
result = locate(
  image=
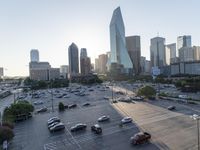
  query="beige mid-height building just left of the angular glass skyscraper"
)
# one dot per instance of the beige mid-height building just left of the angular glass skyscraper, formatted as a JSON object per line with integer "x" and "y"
{"x": 103, "y": 58}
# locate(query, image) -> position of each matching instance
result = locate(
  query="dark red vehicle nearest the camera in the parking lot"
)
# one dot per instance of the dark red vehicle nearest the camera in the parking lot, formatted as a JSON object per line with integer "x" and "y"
{"x": 140, "y": 138}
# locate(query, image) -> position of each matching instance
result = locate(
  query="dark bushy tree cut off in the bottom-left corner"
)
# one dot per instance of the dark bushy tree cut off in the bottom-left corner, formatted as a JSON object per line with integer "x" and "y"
{"x": 5, "y": 134}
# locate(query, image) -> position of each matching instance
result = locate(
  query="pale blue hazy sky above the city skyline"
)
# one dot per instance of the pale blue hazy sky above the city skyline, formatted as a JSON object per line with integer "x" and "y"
{"x": 52, "y": 25}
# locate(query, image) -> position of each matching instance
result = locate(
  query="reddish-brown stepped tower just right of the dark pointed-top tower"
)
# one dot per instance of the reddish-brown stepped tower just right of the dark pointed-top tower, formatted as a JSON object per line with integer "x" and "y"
{"x": 85, "y": 63}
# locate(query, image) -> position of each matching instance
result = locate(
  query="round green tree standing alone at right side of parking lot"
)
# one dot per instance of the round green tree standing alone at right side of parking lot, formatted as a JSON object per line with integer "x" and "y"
{"x": 147, "y": 91}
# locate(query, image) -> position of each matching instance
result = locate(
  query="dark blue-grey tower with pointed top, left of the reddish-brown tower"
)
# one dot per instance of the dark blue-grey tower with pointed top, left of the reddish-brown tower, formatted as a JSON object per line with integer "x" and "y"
{"x": 73, "y": 59}
